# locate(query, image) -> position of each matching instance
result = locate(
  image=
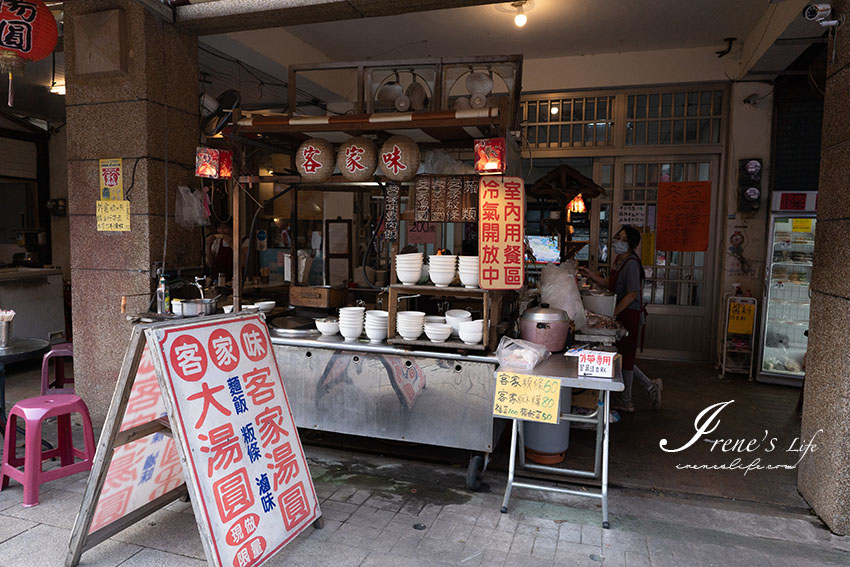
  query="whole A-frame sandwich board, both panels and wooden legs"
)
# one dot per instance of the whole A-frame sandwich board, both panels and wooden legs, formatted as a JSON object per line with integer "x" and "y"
{"x": 217, "y": 392}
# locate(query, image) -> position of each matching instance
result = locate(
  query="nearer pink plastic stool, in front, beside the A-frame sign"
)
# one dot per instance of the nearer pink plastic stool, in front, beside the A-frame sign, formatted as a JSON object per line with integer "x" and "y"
{"x": 34, "y": 411}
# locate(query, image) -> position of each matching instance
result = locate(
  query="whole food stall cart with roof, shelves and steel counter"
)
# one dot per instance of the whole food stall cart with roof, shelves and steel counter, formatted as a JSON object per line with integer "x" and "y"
{"x": 403, "y": 390}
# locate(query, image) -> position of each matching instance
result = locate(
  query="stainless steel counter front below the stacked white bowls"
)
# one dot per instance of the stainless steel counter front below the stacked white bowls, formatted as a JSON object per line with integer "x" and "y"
{"x": 386, "y": 392}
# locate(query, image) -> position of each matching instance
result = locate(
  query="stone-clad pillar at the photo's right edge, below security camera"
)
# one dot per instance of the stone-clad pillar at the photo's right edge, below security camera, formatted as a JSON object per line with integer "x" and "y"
{"x": 824, "y": 475}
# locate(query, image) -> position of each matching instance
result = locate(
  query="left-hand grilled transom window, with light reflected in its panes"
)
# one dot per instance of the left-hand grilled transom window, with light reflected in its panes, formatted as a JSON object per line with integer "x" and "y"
{"x": 572, "y": 122}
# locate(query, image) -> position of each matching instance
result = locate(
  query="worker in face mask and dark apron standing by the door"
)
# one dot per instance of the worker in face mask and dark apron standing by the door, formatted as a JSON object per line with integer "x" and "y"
{"x": 626, "y": 281}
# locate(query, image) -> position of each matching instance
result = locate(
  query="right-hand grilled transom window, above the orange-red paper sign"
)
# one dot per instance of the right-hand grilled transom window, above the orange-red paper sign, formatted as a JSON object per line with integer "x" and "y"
{"x": 691, "y": 117}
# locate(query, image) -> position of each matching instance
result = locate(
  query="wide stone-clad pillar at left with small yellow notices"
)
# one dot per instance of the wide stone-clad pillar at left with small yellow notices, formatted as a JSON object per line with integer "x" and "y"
{"x": 132, "y": 84}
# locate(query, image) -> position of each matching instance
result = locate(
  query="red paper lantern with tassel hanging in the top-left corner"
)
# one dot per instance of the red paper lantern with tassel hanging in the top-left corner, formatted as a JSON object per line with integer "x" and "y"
{"x": 27, "y": 33}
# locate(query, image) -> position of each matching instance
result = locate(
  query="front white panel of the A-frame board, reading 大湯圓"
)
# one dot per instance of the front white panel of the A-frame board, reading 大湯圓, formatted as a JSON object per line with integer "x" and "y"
{"x": 246, "y": 469}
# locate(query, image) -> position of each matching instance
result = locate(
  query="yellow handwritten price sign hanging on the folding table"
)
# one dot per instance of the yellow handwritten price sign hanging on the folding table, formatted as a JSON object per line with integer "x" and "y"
{"x": 530, "y": 398}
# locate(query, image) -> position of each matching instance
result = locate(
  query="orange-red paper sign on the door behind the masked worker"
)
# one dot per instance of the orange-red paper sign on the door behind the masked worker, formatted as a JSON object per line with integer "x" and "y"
{"x": 684, "y": 216}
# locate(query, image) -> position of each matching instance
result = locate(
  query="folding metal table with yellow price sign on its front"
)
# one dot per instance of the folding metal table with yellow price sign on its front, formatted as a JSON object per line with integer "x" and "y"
{"x": 566, "y": 369}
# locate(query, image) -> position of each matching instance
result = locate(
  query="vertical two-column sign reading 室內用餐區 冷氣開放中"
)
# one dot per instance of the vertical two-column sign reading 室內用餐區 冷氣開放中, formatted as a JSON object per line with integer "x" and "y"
{"x": 501, "y": 232}
